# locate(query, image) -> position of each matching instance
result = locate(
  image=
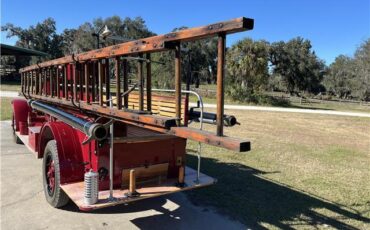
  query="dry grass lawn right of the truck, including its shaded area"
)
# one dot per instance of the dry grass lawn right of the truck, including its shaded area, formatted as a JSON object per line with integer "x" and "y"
{"x": 305, "y": 171}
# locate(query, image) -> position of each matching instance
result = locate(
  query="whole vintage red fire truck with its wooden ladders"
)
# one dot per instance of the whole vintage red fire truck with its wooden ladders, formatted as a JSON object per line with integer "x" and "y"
{"x": 105, "y": 140}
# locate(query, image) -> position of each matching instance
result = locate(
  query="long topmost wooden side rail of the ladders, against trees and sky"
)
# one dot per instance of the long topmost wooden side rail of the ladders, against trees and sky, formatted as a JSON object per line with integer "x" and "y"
{"x": 155, "y": 43}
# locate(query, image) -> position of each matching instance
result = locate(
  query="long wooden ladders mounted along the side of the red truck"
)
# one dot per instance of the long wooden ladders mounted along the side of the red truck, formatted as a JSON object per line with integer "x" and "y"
{"x": 78, "y": 81}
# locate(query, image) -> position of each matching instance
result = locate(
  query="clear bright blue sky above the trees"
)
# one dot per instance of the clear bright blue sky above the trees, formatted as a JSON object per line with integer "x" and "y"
{"x": 333, "y": 26}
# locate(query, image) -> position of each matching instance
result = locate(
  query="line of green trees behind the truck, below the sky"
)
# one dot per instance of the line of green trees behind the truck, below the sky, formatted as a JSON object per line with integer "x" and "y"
{"x": 253, "y": 66}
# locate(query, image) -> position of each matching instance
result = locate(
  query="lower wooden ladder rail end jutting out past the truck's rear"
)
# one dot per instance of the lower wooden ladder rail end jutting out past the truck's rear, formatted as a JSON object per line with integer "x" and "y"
{"x": 211, "y": 139}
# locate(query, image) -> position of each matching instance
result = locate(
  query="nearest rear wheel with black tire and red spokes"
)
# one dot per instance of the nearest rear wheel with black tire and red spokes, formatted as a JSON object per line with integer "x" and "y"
{"x": 53, "y": 194}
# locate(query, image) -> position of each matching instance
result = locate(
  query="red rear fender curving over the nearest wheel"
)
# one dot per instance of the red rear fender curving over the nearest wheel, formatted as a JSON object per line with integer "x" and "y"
{"x": 71, "y": 161}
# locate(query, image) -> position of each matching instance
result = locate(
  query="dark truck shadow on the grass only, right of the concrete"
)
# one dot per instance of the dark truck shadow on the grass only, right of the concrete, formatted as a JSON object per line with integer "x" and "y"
{"x": 243, "y": 194}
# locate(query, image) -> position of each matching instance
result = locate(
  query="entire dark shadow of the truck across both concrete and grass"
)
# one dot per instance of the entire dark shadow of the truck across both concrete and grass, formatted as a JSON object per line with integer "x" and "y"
{"x": 240, "y": 193}
